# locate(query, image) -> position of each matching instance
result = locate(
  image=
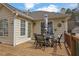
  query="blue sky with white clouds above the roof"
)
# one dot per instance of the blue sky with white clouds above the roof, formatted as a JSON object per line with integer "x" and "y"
{"x": 51, "y": 7}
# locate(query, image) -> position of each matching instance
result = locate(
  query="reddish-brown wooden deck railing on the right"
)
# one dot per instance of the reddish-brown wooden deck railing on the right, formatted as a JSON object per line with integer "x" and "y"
{"x": 71, "y": 43}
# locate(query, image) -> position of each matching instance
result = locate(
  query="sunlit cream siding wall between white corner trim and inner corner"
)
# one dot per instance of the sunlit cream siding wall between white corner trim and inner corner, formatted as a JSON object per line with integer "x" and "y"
{"x": 17, "y": 37}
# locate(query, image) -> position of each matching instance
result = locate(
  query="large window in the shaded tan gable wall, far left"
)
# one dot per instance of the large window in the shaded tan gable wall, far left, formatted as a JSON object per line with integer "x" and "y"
{"x": 4, "y": 27}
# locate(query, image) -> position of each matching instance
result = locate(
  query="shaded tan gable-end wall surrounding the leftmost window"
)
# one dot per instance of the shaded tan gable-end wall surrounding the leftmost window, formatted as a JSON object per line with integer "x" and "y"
{"x": 7, "y": 14}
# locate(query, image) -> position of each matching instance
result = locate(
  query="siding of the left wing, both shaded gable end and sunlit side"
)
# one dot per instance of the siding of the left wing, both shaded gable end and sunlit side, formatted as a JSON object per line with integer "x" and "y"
{"x": 14, "y": 24}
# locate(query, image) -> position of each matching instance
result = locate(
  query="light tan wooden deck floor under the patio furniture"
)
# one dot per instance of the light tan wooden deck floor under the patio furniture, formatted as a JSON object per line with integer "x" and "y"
{"x": 27, "y": 49}
